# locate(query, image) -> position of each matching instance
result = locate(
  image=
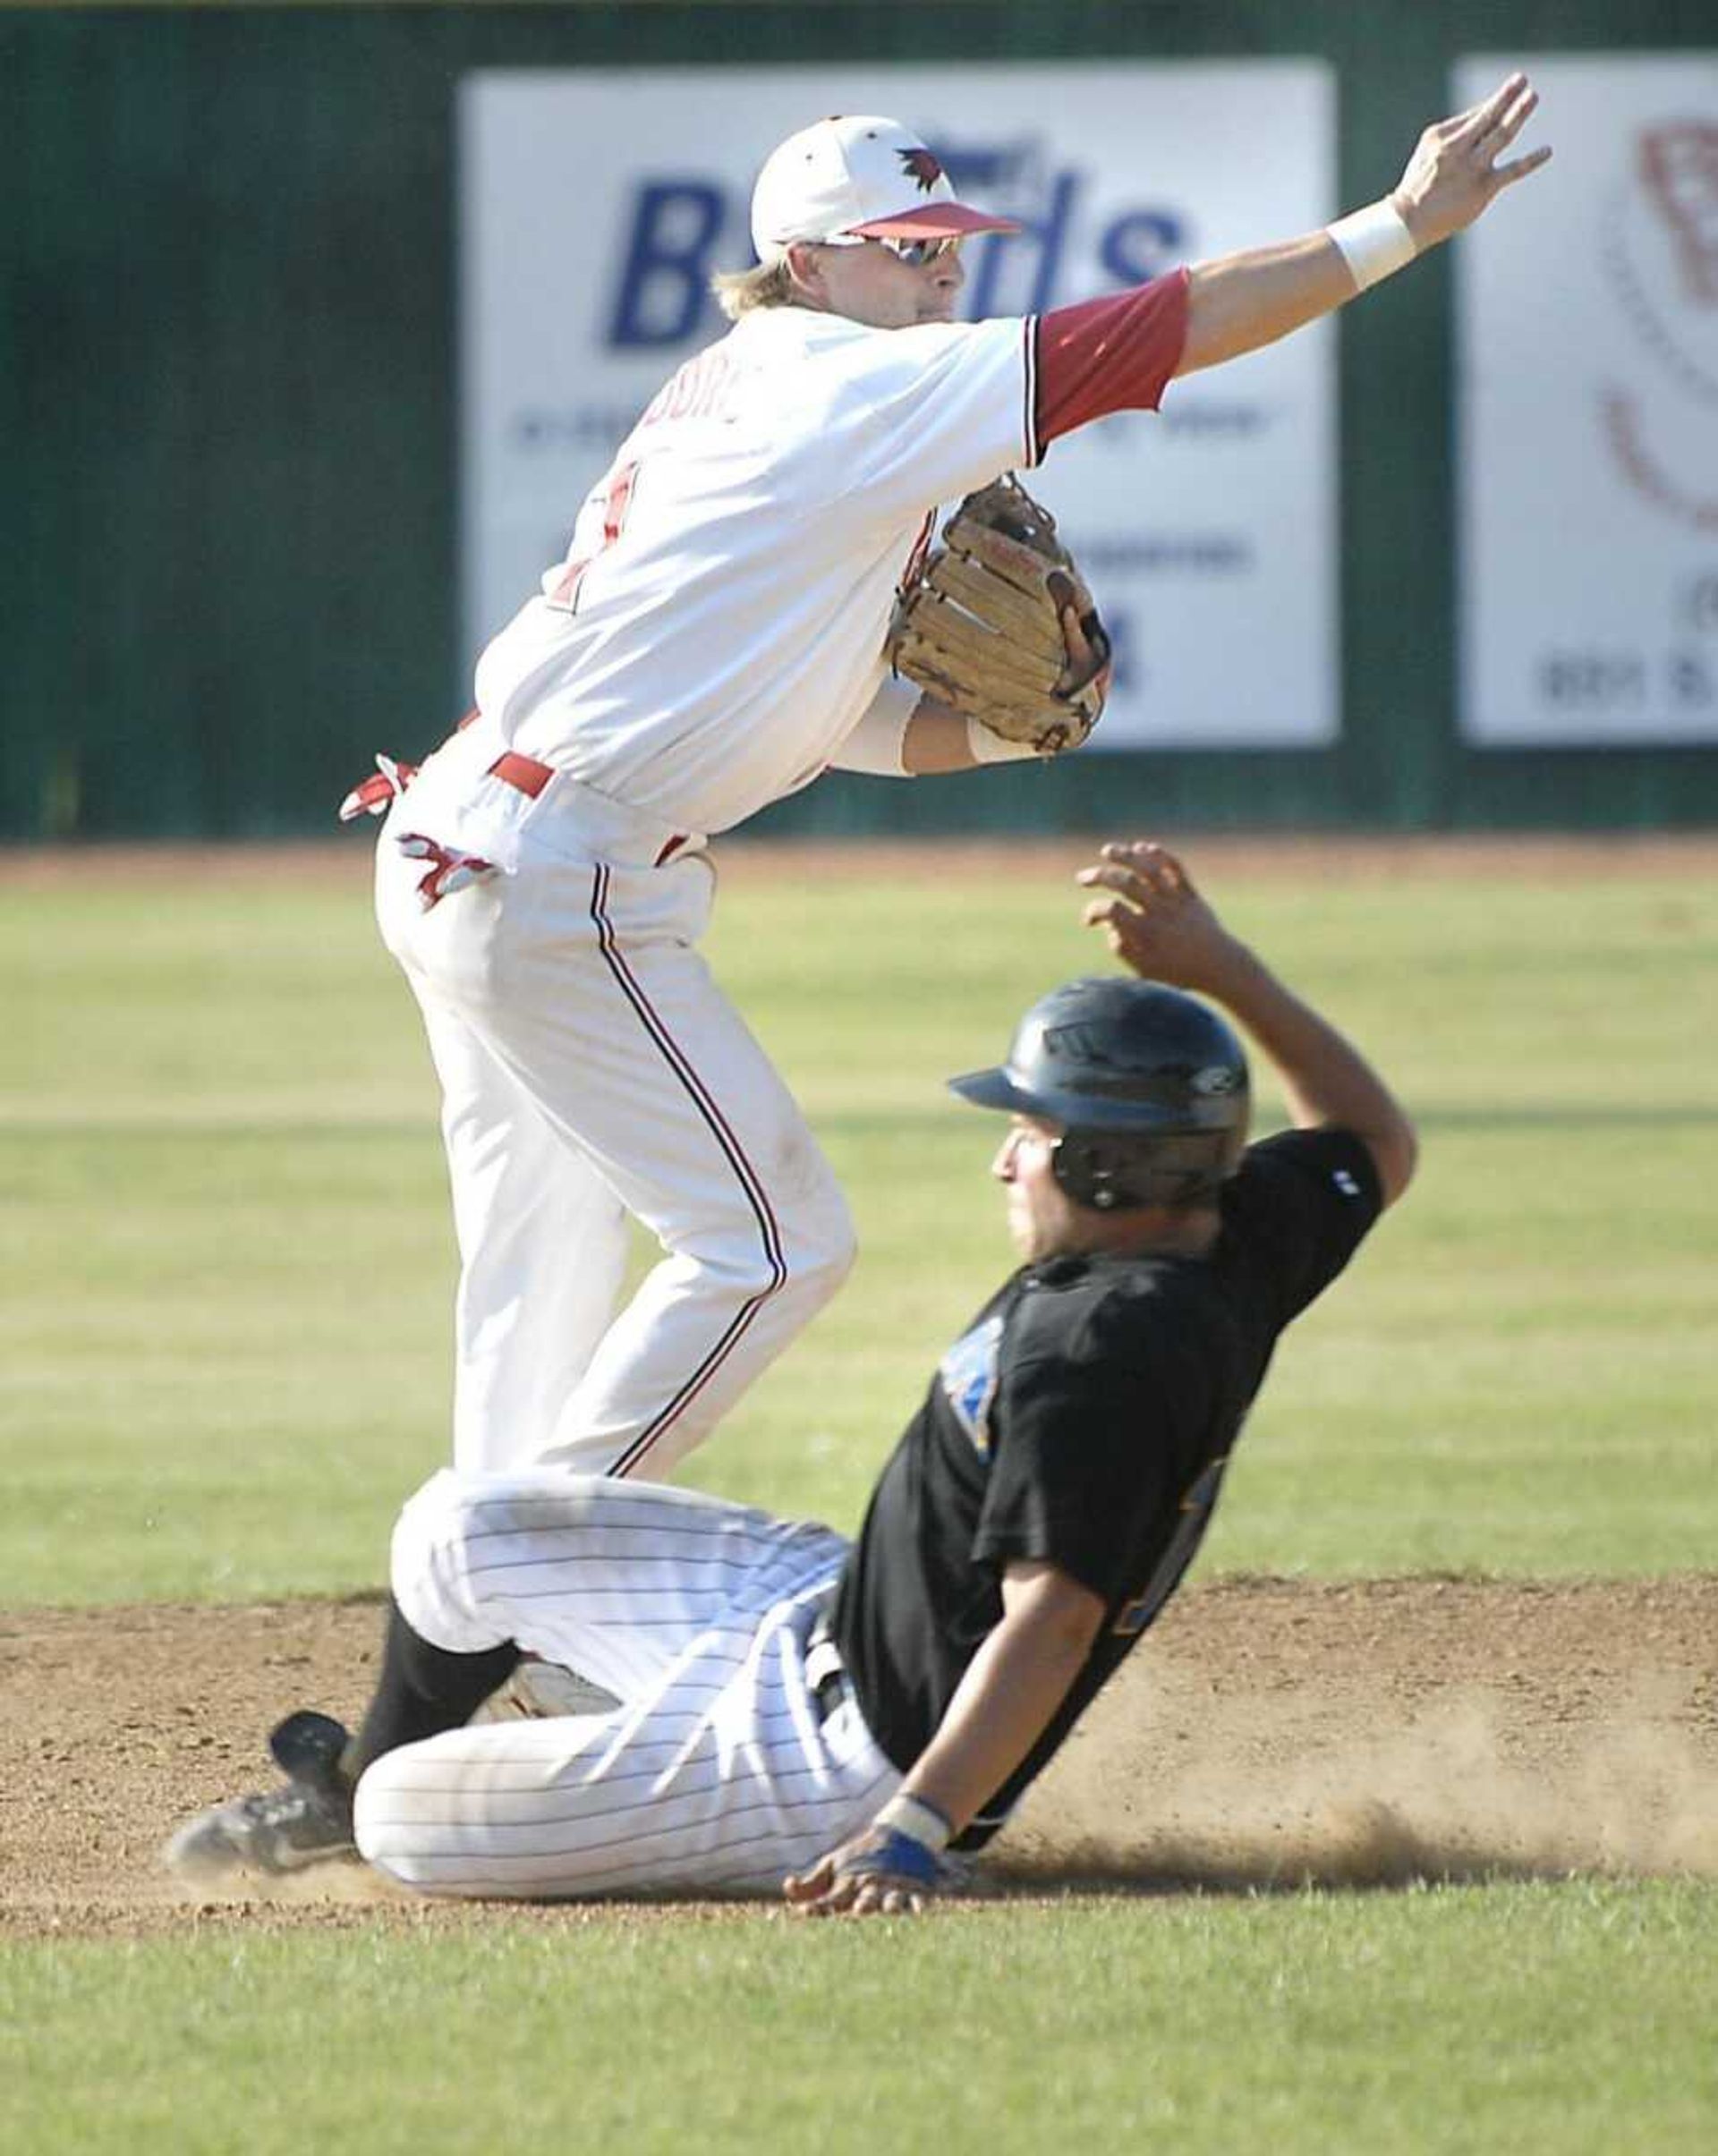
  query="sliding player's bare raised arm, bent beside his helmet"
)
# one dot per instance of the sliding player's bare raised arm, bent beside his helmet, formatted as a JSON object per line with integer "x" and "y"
{"x": 1163, "y": 928}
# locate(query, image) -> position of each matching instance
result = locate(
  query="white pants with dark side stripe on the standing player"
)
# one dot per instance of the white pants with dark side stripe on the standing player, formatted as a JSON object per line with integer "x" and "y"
{"x": 594, "y": 1070}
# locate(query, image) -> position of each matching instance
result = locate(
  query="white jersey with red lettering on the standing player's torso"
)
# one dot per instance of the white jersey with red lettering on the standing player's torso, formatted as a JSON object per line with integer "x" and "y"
{"x": 717, "y": 628}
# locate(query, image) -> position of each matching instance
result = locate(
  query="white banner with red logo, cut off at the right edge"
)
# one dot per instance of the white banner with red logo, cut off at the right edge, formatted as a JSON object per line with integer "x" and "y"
{"x": 1590, "y": 413}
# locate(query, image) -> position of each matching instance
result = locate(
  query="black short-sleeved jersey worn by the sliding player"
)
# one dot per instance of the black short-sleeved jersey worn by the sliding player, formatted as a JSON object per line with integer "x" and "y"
{"x": 1085, "y": 1420}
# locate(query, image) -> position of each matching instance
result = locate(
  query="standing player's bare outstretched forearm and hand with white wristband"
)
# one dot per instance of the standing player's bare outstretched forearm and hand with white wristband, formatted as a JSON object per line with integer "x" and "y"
{"x": 1245, "y": 301}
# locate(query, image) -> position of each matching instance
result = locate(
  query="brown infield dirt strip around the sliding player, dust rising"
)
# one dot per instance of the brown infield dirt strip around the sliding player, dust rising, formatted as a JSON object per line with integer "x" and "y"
{"x": 1269, "y": 1735}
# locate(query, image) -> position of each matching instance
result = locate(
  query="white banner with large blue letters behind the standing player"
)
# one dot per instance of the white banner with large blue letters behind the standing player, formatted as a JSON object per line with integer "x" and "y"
{"x": 596, "y": 204}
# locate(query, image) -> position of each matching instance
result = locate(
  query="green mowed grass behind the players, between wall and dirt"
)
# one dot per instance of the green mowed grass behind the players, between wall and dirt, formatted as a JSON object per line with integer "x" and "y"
{"x": 227, "y": 1264}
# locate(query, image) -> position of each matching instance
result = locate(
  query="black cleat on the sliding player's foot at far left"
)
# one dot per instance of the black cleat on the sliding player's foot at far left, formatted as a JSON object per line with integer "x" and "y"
{"x": 307, "y": 1823}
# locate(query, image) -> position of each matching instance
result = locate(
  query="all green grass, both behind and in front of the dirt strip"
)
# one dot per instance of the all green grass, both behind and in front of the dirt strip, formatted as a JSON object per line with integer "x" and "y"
{"x": 225, "y": 1305}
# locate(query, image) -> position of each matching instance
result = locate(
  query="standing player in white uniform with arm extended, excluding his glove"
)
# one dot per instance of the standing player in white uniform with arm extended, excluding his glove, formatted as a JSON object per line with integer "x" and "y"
{"x": 712, "y": 641}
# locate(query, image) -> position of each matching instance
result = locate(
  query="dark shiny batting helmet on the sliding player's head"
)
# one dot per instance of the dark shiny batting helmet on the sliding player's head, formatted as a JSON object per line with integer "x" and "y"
{"x": 1146, "y": 1086}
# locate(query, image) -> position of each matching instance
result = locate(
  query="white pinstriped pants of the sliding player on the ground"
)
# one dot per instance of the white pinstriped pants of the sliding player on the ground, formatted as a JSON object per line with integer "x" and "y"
{"x": 715, "y": 1773}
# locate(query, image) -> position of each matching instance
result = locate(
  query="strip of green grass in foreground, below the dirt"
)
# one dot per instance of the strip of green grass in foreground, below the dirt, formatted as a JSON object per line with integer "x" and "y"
{"x": 1445, "y": 2023}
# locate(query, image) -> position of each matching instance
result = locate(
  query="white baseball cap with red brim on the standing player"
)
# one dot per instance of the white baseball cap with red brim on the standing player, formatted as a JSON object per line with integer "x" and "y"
{"x": 859, "y": 178}
